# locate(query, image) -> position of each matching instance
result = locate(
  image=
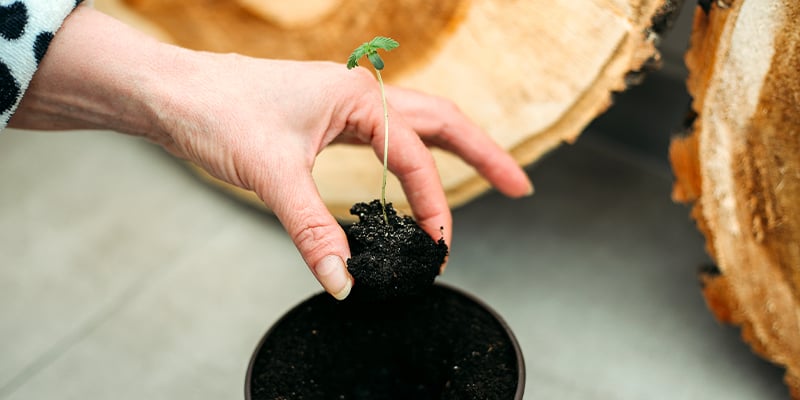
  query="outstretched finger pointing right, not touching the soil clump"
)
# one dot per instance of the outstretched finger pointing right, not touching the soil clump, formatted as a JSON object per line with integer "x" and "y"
{"x": 439, "y": 122}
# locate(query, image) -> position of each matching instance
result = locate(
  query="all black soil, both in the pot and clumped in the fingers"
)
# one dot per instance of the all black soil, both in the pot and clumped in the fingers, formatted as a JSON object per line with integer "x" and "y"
{"x": 396, "y": 336}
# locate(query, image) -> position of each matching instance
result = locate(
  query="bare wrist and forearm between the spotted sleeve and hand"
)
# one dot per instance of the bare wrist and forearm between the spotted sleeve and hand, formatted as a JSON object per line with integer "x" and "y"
{"x": 97, "y": 74}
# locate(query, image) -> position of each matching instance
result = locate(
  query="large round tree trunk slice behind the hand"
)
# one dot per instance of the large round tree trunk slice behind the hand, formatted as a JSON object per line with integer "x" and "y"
{"x": 532, "y": 73}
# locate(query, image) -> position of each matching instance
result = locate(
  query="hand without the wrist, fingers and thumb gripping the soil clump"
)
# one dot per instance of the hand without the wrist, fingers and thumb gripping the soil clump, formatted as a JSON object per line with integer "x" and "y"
{"x": 259, "y": 124}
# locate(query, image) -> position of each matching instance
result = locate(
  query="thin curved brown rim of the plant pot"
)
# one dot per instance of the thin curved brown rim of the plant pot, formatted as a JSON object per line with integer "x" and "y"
{"x": 506, "y": 328}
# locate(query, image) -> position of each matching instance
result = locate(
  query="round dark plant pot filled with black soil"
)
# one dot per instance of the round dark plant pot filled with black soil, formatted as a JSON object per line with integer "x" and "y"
{"x": 443, "y": 344}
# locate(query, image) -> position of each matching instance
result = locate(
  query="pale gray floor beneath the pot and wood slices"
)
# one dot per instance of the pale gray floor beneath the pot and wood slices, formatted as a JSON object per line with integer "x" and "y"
{"x": 122, "y": 276}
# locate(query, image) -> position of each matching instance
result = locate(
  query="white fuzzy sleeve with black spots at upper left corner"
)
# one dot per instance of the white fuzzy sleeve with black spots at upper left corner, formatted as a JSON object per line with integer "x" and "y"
{"x": 26, "y": 29}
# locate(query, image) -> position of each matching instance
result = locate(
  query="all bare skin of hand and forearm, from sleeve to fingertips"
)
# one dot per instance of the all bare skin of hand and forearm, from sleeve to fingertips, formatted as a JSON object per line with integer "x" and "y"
{"x": 258, "y": 124}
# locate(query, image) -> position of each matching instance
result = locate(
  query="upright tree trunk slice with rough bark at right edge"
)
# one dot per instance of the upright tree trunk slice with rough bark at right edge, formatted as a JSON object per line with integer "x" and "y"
{"x": 741, "y": 169}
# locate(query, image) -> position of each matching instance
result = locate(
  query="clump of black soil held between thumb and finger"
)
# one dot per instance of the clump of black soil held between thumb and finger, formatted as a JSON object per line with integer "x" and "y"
{"x": 390, "y": 260}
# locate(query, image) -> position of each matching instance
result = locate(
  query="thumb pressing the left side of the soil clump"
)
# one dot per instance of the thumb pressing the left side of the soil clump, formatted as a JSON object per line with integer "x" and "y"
{"x": 315, "y": 232}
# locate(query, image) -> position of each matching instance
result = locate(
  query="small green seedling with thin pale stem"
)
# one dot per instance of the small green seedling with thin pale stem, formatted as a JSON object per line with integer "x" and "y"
{"x": 370, "y": 49}
